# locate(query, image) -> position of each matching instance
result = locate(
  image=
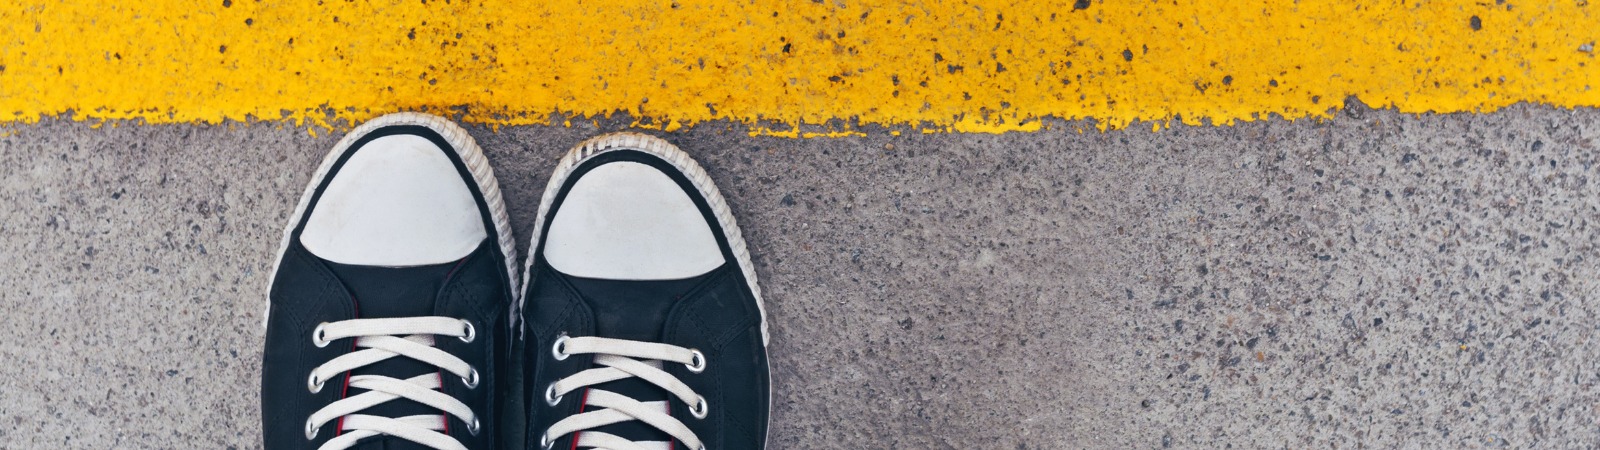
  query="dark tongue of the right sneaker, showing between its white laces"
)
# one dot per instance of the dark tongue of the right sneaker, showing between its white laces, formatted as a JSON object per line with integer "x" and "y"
{"x": 638, "y": 311}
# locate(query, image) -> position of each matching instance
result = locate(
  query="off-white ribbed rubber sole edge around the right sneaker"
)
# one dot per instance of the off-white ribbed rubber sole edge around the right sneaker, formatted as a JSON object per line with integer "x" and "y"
{"x": 695, "y": 174}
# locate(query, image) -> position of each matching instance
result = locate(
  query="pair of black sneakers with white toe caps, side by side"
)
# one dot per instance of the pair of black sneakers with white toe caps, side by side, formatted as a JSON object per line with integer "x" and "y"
{"x": 398, "y": 319}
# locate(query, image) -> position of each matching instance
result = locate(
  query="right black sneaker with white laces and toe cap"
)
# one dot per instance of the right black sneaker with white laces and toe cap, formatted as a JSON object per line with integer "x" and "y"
{"x": 644, "y": 324}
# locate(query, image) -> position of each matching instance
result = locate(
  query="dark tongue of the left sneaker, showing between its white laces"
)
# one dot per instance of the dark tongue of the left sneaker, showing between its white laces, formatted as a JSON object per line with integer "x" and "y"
{"x": 388, "y": 294}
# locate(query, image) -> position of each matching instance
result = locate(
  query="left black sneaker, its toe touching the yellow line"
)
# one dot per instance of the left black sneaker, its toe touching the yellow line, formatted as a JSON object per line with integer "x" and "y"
{"x": 390, "y": 313}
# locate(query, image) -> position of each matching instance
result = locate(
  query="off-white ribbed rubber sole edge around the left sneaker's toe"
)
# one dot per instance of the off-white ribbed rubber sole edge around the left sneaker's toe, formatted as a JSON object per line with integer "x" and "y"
{"x": 466, "y": 150}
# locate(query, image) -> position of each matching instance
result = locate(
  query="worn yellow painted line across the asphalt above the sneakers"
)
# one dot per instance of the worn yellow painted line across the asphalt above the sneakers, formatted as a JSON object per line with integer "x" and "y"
{"x": 831, "y": 66}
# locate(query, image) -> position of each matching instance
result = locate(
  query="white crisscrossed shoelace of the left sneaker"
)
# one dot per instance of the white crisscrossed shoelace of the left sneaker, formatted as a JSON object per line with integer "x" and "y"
{"x": 380, "y": 340}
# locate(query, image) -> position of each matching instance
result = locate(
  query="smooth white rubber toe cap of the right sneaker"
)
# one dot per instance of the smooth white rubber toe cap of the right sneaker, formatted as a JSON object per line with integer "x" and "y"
{"x": 630, "y": 222}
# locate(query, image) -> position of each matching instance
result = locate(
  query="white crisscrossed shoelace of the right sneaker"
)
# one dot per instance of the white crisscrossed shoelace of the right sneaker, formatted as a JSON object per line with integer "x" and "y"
{"x": 625, "y": 360}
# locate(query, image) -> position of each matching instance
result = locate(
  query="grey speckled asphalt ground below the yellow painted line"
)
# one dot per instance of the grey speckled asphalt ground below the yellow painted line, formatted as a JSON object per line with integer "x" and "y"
{"x": 1370, "y": 281}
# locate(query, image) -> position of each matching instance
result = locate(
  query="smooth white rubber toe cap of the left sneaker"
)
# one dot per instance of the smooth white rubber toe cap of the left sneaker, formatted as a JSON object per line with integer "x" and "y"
{"x": 396, "y": 203}
